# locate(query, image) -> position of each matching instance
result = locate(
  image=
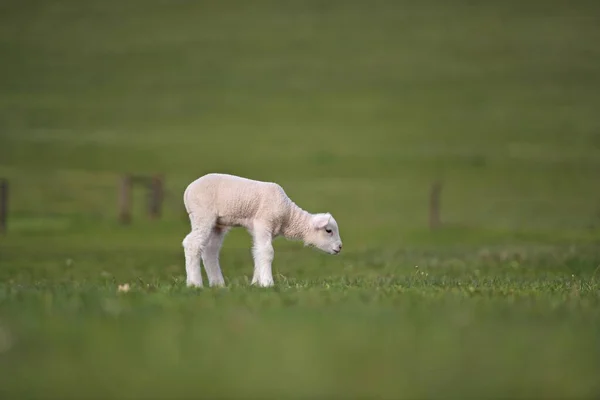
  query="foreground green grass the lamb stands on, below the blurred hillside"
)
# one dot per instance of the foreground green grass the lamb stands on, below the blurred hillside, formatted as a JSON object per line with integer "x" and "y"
{"x": 506, "y": 322}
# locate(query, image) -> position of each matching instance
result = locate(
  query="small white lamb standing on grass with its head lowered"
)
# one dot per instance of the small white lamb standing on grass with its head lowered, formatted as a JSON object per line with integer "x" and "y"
{"x": 217, "y": 202}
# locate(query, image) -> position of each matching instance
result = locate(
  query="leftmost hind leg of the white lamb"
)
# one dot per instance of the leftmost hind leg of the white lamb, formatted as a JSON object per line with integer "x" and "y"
{"x": 194, "y": 244}
